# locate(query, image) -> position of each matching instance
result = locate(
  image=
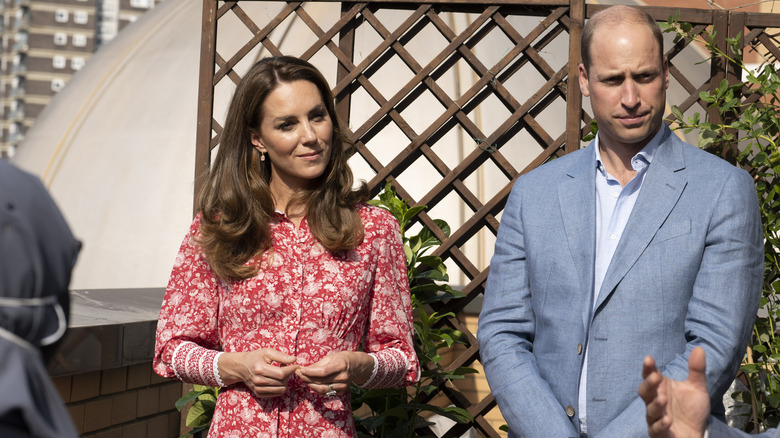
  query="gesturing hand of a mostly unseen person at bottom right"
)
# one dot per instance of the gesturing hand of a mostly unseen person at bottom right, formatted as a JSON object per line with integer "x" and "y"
{"x": 680, "y": 409}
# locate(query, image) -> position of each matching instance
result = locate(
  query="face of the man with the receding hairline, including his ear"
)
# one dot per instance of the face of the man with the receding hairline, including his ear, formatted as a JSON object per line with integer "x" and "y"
{"x": 626, "y": 83}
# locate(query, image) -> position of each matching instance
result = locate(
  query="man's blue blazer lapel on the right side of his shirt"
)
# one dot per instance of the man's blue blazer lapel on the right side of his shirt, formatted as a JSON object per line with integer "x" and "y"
{"x": 661, "y": 189}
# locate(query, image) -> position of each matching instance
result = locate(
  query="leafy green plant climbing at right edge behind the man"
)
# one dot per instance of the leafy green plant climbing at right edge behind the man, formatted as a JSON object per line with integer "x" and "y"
{"x": 747, "y": 131}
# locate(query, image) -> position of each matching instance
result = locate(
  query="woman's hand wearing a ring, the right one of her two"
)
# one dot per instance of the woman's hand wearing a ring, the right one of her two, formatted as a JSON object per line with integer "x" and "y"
{"x": 336, "y": 371}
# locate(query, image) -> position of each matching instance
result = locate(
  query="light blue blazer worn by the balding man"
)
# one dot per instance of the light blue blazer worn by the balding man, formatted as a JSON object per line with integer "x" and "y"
{"x": 687, "y": 272}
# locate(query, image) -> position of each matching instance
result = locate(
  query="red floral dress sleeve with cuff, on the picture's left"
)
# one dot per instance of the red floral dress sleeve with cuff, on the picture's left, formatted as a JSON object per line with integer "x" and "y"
{"x": 187, "y": 340}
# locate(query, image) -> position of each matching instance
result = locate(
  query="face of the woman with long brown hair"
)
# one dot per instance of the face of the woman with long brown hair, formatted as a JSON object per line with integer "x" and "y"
{"x": 295, "y": 132}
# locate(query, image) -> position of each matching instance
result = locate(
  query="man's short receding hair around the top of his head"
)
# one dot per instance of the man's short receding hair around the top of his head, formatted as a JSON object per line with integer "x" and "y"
{"x": 615, "y": 15}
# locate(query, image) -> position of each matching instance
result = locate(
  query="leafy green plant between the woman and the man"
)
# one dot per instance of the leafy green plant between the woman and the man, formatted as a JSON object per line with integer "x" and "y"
{"x": 404, "y": 412}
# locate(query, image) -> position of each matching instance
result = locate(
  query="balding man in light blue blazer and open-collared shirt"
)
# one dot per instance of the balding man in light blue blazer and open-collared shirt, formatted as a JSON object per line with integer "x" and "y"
{"x": 638, "y": 243}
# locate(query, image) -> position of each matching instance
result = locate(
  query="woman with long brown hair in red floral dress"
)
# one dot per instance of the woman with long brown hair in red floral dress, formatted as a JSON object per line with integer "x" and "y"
{"x": 285, "y": 272}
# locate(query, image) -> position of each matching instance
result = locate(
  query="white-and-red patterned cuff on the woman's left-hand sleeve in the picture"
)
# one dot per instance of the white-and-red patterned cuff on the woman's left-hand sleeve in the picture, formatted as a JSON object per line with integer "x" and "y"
{"x": 195, "y": 364}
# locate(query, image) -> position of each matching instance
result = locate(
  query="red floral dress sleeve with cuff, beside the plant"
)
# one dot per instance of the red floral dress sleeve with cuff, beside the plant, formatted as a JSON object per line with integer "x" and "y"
{"x": 389, "y": 338}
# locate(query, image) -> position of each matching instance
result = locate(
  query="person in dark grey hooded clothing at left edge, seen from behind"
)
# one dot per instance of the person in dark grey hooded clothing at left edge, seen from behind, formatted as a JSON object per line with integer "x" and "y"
{"x": 37, "y": 254}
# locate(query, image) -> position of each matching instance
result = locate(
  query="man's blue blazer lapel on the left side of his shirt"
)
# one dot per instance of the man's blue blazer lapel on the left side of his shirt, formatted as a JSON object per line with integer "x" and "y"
{"x": 577, "y": 198}
